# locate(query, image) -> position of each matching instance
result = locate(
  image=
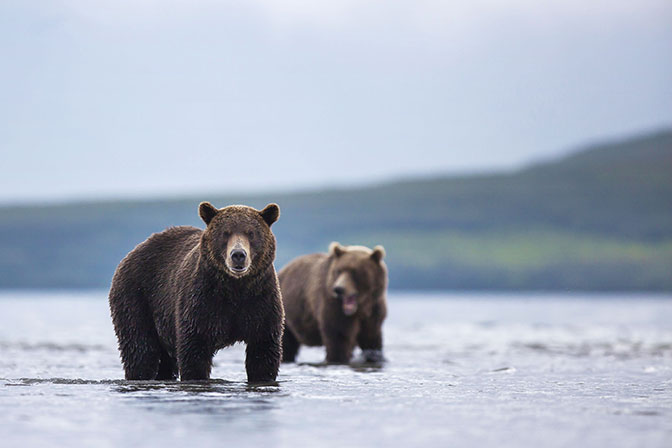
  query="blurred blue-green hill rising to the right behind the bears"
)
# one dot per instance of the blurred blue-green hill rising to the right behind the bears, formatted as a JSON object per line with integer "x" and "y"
{"x": 599, "y": 219}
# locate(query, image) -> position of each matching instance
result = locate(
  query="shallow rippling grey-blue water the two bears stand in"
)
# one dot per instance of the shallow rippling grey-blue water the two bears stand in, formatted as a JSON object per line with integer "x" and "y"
{"x": 462, "y": 370}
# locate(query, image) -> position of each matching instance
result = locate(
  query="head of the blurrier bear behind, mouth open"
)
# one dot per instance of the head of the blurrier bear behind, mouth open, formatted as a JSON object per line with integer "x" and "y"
{"x": 357, "y": 277}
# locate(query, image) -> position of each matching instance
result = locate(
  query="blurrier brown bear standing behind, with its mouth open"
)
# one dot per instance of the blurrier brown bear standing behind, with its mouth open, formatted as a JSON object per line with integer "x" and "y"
{"x": 337, "y": 300}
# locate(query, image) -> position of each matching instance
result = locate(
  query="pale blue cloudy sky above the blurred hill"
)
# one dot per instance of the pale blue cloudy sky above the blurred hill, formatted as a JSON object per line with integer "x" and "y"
{"x": 144, "y": 98}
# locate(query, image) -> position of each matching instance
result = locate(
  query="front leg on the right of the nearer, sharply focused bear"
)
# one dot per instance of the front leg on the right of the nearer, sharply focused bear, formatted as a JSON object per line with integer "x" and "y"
{"x": 263, "y": 356}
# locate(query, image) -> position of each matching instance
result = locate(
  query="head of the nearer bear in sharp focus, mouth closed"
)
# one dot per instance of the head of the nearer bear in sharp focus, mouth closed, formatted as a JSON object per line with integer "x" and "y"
{"x": 238, "y": 239}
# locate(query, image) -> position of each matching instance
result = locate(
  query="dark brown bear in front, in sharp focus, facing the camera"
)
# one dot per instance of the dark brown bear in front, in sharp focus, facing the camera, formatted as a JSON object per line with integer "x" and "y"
{"x": 185, "y": 293}
